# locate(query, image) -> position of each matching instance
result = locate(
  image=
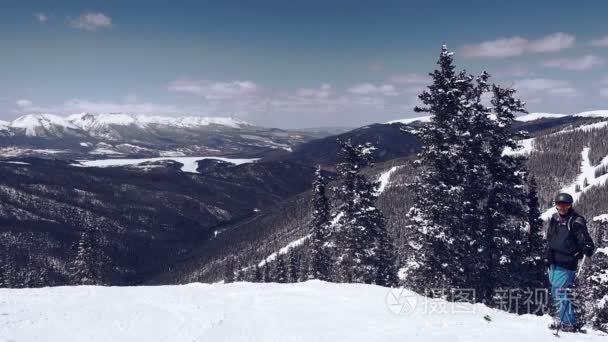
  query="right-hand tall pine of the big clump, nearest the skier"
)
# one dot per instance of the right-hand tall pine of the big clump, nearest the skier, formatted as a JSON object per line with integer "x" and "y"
{"x": 504, "y": 199}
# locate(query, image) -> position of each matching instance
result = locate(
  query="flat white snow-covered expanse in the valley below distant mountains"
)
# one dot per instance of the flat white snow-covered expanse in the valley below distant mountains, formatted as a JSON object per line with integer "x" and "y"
{"x": 189, "y": 163}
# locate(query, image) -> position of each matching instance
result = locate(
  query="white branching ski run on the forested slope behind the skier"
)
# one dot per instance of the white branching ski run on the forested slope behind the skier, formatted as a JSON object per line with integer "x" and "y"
{"x": 587, "y": 173}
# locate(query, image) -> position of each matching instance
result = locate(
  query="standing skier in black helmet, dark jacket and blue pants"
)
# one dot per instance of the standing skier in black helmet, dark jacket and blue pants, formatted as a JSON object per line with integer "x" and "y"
{"x": 567, "y": 241}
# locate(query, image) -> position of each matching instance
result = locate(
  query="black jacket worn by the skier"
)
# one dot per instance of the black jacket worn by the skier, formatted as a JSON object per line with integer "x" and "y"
{"x": 568, "y": 240}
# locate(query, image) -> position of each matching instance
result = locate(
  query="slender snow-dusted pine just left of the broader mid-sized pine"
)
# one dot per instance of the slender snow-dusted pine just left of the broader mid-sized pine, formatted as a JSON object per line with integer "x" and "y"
{"x": 320, "y": 256}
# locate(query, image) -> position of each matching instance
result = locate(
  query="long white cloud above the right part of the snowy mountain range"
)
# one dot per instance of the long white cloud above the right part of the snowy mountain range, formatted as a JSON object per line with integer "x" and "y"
{"x": 214, "y": 90}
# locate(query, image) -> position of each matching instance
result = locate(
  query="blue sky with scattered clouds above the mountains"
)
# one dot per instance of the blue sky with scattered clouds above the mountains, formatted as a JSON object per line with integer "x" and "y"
{"x": 291, "y": 63}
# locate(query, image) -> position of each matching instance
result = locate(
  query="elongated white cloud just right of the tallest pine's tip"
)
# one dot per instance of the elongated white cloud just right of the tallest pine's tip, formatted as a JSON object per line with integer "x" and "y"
{"x": 515, "y": 46}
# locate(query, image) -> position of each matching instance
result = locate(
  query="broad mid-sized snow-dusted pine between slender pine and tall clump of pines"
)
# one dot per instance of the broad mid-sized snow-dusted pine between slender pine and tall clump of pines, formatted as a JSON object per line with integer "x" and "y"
{"x": 365, "y": 250}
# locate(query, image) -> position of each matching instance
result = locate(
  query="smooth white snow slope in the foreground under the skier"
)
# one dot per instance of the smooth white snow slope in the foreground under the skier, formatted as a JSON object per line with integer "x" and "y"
{"x": 310, "y": 311}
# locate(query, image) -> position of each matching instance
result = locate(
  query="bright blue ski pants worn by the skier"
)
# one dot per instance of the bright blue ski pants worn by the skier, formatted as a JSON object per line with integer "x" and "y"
{"x": 561, "y": 280}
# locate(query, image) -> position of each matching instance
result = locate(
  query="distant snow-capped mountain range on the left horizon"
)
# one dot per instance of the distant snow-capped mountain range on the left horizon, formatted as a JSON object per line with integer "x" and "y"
{"x": 133, "y": 135}
